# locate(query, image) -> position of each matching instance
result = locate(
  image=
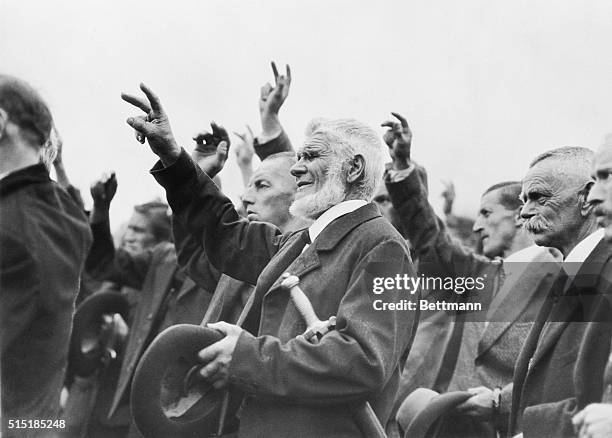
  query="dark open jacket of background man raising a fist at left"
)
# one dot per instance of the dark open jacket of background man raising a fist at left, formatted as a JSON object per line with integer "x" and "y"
{"x": 164, "y": 301}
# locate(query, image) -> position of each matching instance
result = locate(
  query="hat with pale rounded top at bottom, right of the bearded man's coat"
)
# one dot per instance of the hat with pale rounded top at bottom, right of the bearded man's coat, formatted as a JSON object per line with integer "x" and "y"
{"x": 421, "y": 411}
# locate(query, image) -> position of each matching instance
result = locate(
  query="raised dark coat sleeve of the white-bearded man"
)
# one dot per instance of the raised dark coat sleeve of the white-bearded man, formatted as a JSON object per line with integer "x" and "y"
{"x": 234, "y": 246}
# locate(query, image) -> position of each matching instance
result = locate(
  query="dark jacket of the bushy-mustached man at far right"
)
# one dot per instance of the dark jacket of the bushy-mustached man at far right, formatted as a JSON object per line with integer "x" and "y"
{"x": 560, "y": 369}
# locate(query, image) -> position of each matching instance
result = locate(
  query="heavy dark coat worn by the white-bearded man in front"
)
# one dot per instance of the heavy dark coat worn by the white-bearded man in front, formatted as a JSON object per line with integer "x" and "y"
{"x": 295, "y": 388}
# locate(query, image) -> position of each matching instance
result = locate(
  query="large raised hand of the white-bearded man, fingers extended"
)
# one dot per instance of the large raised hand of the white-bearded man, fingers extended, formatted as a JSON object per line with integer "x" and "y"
{"x": 154, "y": 126}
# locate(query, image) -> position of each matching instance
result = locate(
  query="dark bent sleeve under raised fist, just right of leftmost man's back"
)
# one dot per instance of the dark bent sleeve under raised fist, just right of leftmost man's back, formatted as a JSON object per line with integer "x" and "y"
{"x": 104, "y": 262}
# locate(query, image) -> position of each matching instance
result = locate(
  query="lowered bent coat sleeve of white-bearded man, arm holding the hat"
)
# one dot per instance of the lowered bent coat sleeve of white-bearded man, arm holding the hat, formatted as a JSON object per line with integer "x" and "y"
{"x": 351, "y": 363}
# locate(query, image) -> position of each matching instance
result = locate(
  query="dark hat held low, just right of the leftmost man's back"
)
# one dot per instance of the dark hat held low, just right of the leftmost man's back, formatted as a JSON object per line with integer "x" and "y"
{"x": 87, "y": 328}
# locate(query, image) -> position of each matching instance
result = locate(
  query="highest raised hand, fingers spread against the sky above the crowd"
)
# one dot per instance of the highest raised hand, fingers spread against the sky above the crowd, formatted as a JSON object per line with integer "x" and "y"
{"x": 271, "y": 100}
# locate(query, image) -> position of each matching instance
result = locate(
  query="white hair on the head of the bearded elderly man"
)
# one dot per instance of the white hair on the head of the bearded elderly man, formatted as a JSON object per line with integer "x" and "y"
{"x": 348, "y": 138}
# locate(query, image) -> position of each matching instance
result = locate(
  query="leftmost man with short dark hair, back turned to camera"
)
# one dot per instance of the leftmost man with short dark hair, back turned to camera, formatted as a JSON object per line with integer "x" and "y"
{"x": 44, "y": 239}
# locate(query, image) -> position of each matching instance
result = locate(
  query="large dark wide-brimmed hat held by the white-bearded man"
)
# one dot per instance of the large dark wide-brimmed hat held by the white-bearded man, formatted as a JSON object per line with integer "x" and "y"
{"x": 168, "y": 397}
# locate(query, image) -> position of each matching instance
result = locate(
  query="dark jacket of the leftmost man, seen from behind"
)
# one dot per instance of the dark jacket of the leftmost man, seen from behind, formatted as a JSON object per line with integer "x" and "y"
{"x": 44, "y": 239}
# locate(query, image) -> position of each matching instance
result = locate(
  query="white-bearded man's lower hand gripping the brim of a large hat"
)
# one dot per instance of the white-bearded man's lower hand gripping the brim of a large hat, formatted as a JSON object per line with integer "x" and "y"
{"x": 218, "y": 356}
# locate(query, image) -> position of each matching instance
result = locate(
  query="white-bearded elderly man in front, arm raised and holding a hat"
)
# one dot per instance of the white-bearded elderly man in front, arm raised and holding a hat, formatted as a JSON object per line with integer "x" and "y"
{"x": 293, "y": 387}
